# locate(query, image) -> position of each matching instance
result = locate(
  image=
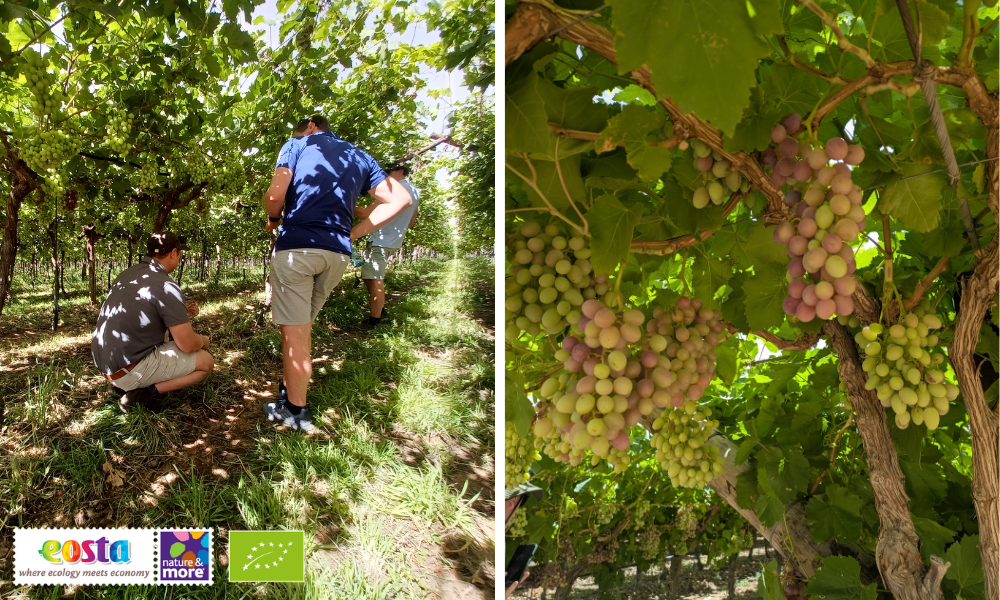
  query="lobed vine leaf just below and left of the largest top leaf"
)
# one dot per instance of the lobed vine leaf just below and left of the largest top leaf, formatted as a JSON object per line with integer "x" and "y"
{"x": 631, "y": 128}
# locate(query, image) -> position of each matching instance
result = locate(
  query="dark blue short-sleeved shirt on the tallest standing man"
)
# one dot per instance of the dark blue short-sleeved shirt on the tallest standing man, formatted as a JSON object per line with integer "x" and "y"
{"x": 328, "y": 175}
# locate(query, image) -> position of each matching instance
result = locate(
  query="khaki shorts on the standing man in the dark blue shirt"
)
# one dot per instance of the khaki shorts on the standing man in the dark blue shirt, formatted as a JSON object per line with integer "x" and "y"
{"x": 301, "y": 281}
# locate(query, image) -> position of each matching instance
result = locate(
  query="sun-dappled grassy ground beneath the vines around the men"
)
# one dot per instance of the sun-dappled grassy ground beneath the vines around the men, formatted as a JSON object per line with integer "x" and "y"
{"x": 395, "y": 491}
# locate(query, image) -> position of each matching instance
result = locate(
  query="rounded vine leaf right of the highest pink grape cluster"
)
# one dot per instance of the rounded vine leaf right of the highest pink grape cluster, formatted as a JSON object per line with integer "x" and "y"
{"x": 915, "y": 202}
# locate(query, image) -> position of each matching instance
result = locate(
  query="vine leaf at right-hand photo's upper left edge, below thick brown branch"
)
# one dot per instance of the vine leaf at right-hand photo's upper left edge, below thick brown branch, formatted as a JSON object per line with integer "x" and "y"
{"x": 525, "y": 125}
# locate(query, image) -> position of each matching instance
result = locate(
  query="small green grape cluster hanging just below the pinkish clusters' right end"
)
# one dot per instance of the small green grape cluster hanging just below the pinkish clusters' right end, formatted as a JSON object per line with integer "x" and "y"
{"x": 680, "y": 442}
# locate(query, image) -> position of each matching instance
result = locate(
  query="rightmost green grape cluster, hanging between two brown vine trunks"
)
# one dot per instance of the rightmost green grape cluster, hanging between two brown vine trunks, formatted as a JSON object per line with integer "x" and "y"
{"x": 905, "y": 366}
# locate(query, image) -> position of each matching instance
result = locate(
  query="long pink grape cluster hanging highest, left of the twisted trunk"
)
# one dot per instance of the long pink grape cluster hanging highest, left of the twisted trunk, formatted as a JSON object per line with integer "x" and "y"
{"x": 829, "y": 217}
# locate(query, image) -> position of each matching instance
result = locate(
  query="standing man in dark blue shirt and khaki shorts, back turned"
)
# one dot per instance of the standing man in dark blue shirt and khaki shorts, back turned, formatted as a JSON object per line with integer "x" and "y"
{"x": 317, "y": 181}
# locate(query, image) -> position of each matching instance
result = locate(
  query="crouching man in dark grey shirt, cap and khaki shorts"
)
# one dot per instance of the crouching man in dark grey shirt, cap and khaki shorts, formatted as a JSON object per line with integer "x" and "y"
{"x": 143, "y": 304}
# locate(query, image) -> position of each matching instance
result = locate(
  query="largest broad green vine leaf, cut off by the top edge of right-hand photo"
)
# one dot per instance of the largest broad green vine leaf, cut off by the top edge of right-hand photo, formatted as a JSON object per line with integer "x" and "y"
{"x": 702, "y": 53}
